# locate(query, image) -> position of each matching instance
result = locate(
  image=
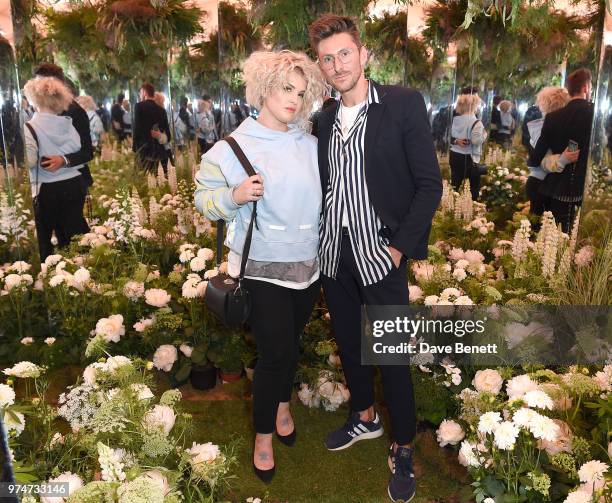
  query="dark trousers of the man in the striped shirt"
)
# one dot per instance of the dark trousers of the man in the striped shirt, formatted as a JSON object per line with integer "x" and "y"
{"x": 345, "y": 295}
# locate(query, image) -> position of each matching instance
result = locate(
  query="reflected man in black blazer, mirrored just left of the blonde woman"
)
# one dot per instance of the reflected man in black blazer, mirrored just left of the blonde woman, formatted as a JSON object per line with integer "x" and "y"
{"x": 150, "y": 131}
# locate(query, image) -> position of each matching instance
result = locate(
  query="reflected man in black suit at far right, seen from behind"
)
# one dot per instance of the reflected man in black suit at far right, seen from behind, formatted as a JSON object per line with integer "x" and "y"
{"x": 571, "y": 123}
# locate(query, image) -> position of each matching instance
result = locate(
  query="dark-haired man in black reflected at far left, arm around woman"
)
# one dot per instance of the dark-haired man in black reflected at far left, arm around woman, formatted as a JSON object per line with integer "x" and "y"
{"x": 80, "y": 121}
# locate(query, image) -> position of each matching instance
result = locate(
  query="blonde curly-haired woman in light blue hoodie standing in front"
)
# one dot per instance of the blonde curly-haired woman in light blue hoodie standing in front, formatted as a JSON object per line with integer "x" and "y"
{"x": 282, "y": 272}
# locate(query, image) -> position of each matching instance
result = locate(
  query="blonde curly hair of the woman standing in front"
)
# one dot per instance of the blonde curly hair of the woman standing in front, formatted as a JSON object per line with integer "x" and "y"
{"x": 264, "y": 71}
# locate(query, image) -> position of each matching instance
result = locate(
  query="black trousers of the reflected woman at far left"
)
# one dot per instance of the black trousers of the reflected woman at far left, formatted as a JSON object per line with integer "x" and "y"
{"x": 59, "y": 209}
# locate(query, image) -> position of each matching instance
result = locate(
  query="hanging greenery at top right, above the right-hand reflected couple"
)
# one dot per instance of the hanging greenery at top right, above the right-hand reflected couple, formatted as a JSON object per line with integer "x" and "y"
{"x": 518, "y": 58}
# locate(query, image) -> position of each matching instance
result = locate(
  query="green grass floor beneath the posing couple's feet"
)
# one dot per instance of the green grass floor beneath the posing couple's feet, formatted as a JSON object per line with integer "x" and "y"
{"x": 307, "y": 472}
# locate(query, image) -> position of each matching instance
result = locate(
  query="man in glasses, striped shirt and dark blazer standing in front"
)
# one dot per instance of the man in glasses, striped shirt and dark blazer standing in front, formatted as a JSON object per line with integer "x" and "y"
{"x": 381, "y": 186}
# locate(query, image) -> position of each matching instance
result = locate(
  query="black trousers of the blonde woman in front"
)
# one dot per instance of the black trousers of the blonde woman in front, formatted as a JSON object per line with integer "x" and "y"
{"x": 278, "y": 317}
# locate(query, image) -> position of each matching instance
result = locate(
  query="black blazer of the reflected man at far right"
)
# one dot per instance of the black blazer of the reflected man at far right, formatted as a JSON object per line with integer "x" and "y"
{"x": 572, "y": 122}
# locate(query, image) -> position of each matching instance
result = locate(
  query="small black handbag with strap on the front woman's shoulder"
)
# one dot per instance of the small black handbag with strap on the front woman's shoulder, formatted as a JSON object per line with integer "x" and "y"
{"x": 226, "y": 297}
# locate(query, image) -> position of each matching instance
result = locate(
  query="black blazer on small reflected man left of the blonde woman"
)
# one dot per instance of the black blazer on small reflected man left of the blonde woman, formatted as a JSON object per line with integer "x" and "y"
{"x": 146, "y": 114}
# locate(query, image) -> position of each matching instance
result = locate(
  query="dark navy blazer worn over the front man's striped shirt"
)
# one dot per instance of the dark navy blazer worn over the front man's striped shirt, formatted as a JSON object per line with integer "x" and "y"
{"x": 401, "y": 167}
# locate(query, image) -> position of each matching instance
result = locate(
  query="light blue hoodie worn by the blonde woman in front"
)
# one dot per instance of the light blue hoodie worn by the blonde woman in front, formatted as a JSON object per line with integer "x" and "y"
{"x": 288, "y": 213}
